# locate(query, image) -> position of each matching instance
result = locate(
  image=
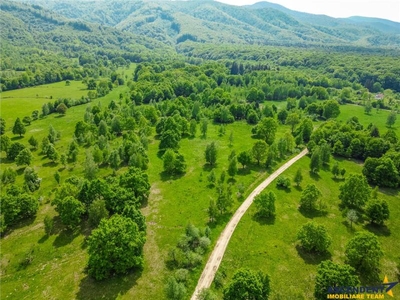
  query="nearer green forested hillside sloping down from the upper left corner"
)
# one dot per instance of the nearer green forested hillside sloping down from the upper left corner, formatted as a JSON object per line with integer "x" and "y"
{"x": 30, "y": 32}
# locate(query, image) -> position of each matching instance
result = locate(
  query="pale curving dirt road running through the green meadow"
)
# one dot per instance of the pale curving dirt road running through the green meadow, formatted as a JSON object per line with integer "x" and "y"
{"x": 215, "y": 258}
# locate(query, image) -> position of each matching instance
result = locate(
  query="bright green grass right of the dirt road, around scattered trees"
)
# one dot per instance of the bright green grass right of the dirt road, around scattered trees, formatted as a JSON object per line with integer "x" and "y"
{"x": 270, "y": 246}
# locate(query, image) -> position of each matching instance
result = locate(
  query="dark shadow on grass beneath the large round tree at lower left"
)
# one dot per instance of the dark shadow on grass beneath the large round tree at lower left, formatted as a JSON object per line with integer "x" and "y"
{"x": 110, "y": 288}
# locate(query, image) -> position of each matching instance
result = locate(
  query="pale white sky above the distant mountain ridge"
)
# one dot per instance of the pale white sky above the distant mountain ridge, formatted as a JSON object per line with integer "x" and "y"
{"x": 386, "y": 9}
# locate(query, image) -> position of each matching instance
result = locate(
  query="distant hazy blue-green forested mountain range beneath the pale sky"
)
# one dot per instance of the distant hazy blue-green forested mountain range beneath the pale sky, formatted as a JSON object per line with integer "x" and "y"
{"x": 174, "y": 22}
